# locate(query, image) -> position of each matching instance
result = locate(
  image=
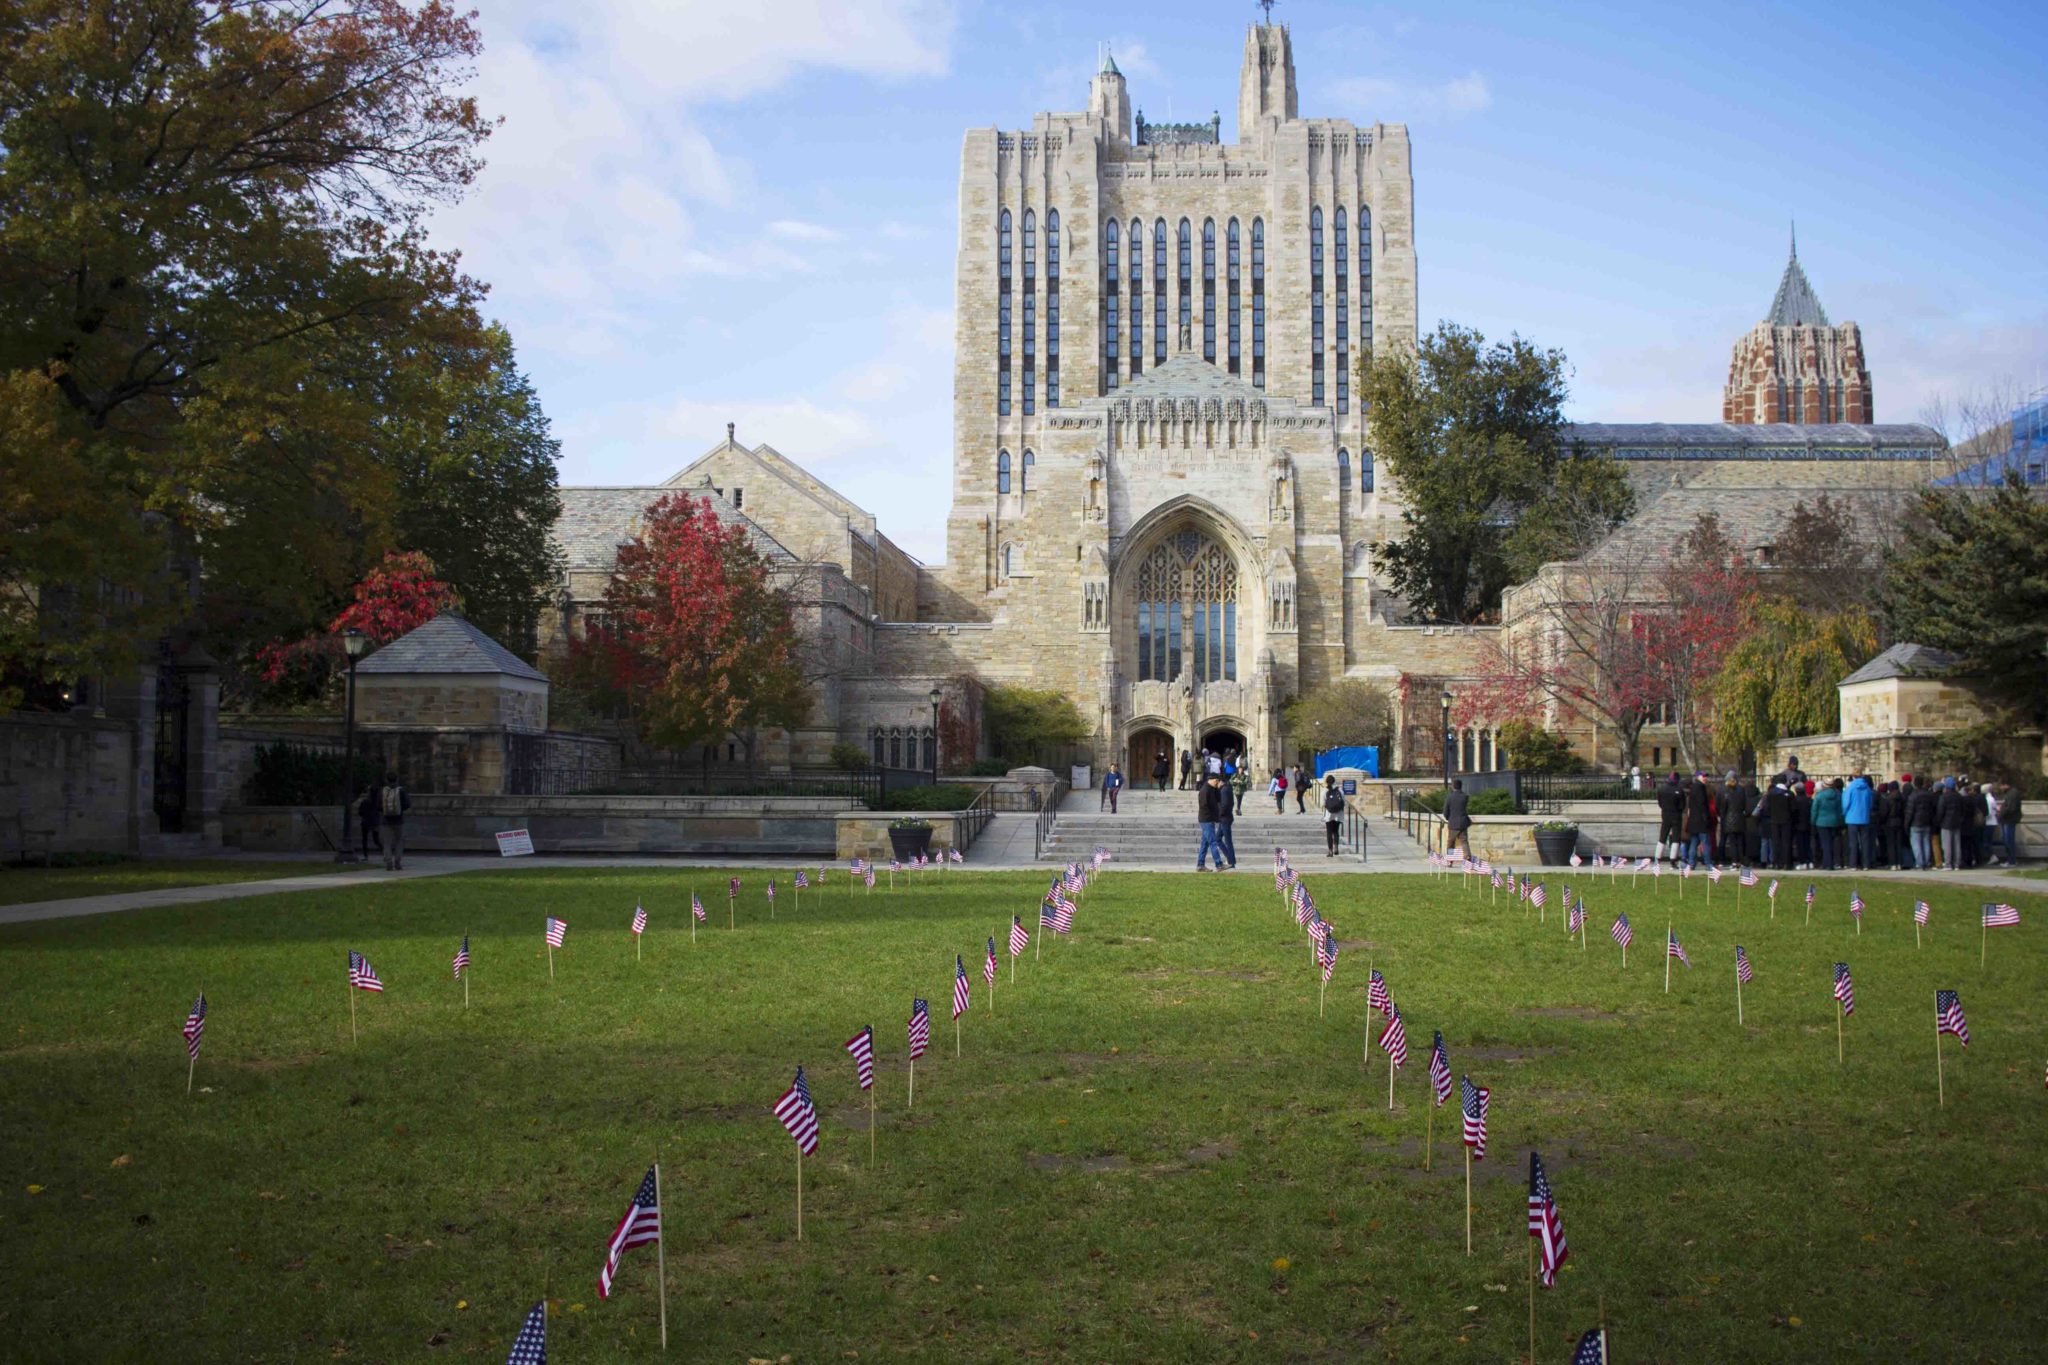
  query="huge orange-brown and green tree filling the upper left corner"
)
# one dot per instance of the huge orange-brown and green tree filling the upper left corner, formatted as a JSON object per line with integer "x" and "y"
{"x": 210, "y": 216}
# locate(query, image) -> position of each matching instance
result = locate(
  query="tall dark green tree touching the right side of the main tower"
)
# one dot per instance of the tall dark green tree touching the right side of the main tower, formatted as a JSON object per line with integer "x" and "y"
{"x": 1476, "y": 439}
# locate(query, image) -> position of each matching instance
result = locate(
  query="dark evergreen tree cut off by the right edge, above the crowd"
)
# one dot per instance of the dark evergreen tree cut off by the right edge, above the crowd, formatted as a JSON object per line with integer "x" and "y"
{"x": 1969, "y": 574}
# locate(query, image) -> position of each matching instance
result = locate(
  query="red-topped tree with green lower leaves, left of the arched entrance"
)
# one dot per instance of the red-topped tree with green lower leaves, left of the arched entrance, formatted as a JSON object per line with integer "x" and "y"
{"x": 695, "y": 635}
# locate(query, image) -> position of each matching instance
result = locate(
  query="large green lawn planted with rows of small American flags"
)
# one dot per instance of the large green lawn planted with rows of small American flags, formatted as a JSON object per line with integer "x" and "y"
{"x": 1152, "y": 1127}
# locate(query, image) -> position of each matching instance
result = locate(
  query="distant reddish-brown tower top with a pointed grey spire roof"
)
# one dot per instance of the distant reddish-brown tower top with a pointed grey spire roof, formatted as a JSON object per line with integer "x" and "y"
{"x": 1795, "y": 367}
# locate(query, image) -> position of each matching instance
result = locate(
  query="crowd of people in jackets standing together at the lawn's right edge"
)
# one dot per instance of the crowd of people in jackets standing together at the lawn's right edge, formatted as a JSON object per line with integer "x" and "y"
{"x": 1803, "y": 824}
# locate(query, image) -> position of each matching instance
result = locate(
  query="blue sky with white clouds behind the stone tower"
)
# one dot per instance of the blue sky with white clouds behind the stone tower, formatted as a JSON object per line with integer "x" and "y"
{"x": 701, "y": 214}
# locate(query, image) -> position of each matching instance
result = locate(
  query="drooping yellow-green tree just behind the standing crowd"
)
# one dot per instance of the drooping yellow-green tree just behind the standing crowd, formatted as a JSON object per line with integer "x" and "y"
{"x": 1781, "y": 676}
